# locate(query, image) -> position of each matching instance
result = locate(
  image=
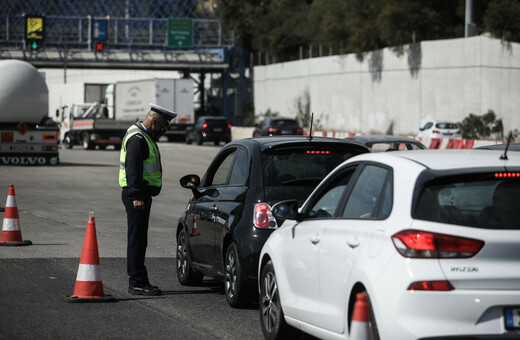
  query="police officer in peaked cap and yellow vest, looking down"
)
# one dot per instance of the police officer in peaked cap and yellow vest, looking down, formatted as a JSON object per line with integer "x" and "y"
{"x": 140, "y": 177}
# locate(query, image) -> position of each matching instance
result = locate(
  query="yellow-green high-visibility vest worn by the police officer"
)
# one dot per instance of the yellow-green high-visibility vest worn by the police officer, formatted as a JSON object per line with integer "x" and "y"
{"x": 151, "y": 166}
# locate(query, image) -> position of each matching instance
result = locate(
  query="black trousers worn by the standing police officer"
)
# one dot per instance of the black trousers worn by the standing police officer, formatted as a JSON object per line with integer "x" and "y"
{"x": 137, "y": 221}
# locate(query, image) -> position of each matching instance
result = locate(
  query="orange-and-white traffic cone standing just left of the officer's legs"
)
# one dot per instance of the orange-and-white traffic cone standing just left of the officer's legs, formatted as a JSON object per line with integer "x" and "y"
{"x": 89, "y": 287}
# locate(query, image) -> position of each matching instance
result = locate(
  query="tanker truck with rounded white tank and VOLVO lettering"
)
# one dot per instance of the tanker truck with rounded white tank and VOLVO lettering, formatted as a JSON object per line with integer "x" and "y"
{"x": 28, "y": 136}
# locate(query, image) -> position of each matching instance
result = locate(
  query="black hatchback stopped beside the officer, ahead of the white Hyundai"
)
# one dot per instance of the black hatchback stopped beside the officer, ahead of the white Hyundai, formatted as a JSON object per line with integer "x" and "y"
{"x": 228, "y": 218}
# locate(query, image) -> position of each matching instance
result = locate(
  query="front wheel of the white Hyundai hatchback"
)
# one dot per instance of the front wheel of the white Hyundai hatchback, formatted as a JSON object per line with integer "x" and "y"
{"x": 271, "y": 313}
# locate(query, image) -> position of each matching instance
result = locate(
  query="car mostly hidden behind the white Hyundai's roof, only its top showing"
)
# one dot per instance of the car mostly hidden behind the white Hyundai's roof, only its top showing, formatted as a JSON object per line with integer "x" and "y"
{"x": 377, "y": 143}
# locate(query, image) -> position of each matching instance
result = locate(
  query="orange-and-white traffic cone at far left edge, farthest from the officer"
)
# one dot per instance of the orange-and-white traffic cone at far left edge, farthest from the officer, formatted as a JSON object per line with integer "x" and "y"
{"x": 11, "y": 234}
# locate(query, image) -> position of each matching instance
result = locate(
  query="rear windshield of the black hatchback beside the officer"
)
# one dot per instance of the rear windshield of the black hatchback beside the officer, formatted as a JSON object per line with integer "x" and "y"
{"x": 293, "y": 173}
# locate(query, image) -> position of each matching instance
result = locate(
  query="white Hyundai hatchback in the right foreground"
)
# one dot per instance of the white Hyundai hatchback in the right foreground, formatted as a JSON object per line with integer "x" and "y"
{"x": 433, "y": 238}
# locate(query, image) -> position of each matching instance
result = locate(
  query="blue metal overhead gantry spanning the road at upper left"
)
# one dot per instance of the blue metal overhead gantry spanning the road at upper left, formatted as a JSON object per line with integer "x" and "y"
{"x": 137, "y": 34}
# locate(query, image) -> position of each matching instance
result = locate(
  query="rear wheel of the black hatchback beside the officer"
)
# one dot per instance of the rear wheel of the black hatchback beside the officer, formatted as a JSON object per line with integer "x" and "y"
{"x": 236, "y": 290}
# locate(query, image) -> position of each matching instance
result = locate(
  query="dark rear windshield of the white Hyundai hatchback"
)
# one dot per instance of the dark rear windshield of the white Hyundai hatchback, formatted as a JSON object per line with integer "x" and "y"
{"x": 487, "y": 201}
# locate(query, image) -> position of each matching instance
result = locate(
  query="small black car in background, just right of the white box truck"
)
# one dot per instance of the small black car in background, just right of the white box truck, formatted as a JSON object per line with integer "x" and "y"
{"x": 209, "y": 129}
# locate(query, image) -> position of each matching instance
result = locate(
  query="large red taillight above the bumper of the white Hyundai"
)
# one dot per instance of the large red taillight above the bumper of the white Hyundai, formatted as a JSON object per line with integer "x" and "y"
{"x": 423, "y": 244}
